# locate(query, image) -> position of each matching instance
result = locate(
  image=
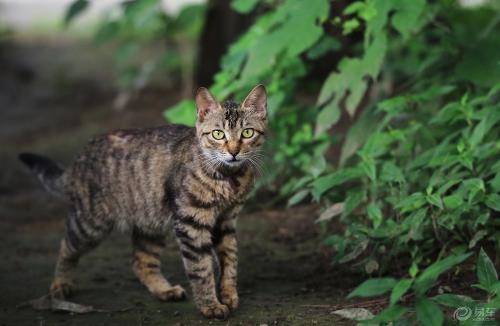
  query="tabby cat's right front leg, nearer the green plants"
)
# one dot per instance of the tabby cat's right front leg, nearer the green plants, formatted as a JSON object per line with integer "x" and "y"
{"x": 224, "y": 240}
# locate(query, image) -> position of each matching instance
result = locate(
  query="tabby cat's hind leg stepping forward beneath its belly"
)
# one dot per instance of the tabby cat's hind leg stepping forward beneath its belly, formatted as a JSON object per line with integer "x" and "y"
{"x": 146, "y": 266}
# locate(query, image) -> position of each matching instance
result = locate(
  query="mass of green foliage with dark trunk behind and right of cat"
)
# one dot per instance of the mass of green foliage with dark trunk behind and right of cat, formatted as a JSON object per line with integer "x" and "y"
{"x": 384, "y": 112}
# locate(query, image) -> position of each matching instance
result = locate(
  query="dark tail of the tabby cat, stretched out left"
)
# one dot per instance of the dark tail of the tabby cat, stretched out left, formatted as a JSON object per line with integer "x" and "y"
{"x": 48, "y": 172}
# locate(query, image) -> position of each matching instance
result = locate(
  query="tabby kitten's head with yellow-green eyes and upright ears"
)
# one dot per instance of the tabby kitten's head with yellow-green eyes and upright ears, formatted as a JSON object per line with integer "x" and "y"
{"x": 229, "y": 133}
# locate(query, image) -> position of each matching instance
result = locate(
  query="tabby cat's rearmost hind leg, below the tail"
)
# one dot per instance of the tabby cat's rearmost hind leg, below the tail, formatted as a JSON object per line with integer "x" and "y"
{"x": 83, "y": 233}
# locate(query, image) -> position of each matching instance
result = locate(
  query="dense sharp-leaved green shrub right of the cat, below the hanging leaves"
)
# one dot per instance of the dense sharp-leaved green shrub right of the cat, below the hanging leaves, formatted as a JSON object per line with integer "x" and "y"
{"x": 418, "y": 183}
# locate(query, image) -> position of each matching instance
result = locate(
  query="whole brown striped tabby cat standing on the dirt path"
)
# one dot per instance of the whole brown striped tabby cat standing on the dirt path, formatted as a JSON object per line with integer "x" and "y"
{"x": 192, "y": 180}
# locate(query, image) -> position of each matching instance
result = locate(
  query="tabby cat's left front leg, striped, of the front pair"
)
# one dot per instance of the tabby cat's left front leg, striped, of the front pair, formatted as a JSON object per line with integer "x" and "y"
{"x": 194, "y": 238}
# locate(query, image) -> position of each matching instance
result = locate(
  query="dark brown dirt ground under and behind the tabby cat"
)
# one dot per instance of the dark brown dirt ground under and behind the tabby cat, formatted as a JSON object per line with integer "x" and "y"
{"x": 54, "y": 95}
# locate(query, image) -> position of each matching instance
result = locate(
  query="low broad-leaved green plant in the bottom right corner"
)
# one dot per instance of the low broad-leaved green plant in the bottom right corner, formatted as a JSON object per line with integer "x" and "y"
{"x": 428, "y": 310}
